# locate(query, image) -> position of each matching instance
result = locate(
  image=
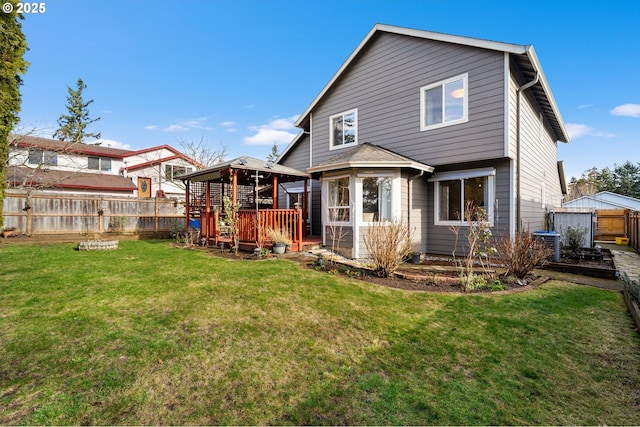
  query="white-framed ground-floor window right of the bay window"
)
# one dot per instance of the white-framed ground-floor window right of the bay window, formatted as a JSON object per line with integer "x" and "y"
{"x": 452, "y": 191}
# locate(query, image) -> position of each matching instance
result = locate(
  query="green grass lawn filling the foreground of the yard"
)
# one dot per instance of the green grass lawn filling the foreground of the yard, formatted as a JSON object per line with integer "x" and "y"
{"x": 150, "y": 334}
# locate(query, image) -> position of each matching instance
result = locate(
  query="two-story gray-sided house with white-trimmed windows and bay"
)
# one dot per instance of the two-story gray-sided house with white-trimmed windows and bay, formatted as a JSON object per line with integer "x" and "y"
{"x": 415, "y": 123}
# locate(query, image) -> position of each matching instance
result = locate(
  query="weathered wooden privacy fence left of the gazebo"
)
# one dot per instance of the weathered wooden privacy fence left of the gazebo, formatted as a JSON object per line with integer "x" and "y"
{"x": 51, "y": 213}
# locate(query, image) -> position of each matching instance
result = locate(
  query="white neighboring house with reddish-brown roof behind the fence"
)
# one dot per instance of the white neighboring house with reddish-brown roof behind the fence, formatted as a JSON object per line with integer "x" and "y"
{"x": 67, "y": 167}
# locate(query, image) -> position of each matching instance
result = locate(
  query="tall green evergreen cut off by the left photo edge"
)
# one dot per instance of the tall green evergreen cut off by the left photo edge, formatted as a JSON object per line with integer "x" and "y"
{"x": 13, "y": 46}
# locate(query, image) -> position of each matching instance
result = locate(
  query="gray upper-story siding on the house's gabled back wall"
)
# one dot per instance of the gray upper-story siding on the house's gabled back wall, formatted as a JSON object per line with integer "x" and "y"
{"x": 384, "y": 85}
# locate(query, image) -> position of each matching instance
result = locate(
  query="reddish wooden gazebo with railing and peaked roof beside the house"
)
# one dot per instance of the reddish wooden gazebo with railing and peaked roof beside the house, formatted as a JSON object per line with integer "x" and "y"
{"x": 254, "y": 185}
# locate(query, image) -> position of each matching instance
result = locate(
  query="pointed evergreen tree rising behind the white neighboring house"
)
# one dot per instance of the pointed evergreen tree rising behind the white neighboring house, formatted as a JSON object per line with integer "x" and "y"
{"x": 73, "y": 125}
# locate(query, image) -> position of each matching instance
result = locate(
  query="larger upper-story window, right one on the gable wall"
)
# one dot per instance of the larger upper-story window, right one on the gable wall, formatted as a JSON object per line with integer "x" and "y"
{"x": 444, "y": 103}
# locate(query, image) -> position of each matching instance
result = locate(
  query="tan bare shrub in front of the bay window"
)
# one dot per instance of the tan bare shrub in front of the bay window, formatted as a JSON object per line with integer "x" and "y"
{"x": 388, "y": 243}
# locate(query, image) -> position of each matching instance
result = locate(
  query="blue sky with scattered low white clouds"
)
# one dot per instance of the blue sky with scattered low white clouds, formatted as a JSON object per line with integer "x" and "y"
{"x": 237, "y": 73}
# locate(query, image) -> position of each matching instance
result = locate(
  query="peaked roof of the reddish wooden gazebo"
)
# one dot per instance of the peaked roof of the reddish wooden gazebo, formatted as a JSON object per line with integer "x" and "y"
{"x": 245, "y": 167}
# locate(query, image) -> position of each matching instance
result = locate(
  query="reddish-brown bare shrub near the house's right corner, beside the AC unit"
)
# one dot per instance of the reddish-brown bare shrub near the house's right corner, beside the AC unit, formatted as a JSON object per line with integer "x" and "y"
{"x": 522, "y": 254}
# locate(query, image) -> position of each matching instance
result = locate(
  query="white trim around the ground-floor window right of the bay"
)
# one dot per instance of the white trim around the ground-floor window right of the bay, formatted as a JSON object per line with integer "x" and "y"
{"x": 464, "y": 174}
